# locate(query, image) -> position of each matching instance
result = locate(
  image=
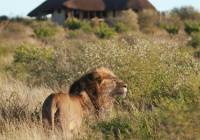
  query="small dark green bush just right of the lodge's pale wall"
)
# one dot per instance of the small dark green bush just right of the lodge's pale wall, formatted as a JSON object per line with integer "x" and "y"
{"x": 73, "y": 23}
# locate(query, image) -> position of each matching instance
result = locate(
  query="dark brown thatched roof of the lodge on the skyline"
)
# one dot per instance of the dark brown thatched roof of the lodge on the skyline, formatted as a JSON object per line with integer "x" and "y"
{"x": 90, "y": 5}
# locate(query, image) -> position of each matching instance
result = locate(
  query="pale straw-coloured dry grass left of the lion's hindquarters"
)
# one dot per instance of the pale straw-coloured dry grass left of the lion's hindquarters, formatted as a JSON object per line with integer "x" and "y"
{"x": 20, "y": 110}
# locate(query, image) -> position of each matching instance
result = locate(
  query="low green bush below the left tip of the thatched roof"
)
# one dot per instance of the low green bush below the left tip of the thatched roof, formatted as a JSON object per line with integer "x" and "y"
{"x": 45, "y": 29}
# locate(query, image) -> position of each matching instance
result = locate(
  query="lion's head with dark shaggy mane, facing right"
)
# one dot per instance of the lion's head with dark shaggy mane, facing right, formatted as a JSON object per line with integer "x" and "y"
{"x": 101, "y": 86}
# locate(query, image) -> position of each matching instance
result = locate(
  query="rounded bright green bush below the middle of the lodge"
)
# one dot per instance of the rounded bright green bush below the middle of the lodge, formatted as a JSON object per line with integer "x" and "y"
{"x": 104, "y": 31}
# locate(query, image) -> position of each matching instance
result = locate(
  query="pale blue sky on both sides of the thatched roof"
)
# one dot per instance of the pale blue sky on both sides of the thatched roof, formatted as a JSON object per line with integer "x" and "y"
{"x": 23, "y": 7}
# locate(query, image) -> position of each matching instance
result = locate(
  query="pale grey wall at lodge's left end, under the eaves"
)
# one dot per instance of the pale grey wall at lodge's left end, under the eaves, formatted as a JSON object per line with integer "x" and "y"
{"x": 59, "y": 17}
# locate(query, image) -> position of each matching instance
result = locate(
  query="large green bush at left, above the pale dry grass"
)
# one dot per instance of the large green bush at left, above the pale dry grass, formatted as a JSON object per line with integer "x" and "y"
{"x": 32, "y": 62}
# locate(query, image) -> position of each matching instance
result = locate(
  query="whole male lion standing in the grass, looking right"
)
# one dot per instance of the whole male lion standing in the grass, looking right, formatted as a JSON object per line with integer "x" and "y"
{"x": 95, "y": 90}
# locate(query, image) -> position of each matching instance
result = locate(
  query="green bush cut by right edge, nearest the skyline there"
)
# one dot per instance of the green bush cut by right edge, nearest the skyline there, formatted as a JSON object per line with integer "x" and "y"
{"x": 192, "y": 26}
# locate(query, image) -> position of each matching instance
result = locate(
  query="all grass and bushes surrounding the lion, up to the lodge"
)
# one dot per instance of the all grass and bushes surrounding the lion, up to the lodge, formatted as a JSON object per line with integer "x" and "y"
{"x": 157, "y": 55}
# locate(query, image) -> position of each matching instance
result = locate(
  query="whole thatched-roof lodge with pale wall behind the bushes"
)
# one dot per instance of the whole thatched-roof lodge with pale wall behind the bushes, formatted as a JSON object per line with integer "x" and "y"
{"x": 61, "y": 9}
